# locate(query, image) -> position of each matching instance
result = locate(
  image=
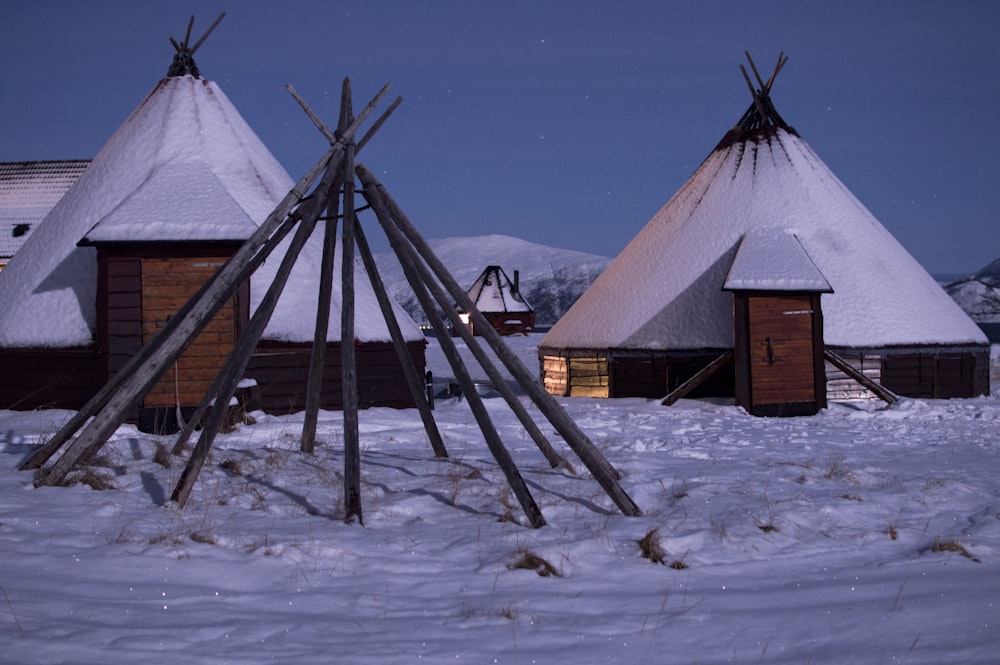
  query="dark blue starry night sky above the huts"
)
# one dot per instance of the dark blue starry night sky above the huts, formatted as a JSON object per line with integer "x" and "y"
{"x": 564, "y": 123}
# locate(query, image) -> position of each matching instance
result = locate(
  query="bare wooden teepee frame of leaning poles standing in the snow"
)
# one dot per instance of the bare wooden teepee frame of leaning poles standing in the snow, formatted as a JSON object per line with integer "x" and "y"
{"x": 434, "y": 287}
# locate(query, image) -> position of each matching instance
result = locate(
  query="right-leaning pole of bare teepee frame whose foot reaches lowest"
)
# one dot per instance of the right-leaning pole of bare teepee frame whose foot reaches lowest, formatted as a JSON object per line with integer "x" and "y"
{"x": 409, "y": 262}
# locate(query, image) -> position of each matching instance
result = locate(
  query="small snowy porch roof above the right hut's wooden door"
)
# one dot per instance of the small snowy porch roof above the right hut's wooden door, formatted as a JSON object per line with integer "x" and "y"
{"x": 772, "y": 259}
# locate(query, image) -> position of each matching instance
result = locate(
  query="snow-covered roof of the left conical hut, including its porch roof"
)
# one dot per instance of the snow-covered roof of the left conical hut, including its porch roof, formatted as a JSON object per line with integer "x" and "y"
{"x": 183, "y": 166}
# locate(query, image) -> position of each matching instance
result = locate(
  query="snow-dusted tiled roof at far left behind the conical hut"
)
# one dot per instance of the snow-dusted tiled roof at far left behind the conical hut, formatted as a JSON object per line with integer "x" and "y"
{"x": 28, "y": 191}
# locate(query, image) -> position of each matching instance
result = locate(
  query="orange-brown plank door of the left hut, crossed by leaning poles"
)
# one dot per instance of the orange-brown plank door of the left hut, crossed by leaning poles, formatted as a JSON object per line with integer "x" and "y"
{"x": 167, "y": 285}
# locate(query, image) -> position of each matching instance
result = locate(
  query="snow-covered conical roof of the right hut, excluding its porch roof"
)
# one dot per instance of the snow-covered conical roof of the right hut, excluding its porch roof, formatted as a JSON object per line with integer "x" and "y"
{"x": 664, "y": 290}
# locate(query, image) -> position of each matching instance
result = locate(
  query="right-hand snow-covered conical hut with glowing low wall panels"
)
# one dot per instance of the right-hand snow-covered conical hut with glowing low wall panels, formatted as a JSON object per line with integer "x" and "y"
{"x": 662, "y": 311}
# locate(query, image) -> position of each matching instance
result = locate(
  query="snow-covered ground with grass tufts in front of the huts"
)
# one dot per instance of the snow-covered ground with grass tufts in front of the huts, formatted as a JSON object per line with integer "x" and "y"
{"x": 861, "y": 535}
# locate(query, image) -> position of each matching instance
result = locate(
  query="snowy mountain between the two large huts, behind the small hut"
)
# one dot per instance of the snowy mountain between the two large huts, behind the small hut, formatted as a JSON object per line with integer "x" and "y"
{"x": 550, "y": 279}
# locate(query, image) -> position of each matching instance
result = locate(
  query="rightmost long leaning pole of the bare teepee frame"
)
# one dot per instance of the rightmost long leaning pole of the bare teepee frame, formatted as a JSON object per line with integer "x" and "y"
{"x": 602, "y": 471}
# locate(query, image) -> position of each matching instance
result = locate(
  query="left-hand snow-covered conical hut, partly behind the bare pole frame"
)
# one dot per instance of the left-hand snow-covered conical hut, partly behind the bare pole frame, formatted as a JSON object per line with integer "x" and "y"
{"x": 138, "y": 235}
